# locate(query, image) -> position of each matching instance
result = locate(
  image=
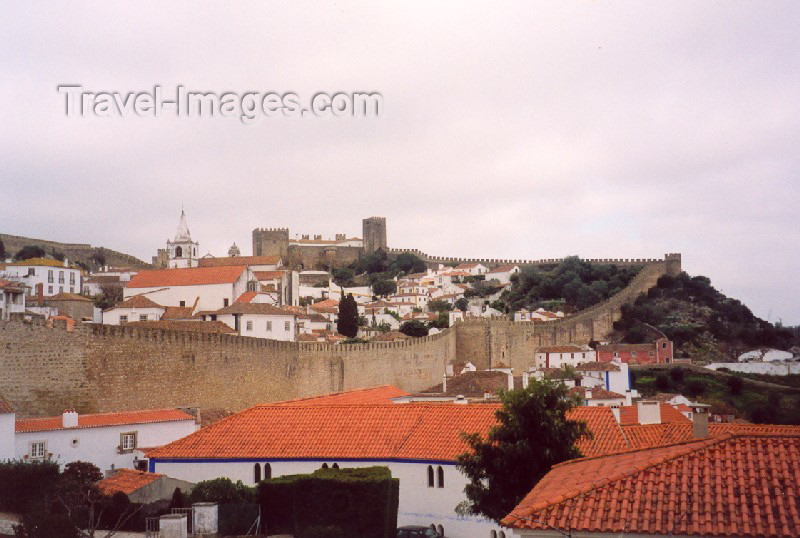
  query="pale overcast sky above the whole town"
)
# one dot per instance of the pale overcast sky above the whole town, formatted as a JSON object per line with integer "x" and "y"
{"x": 516, "y": 130}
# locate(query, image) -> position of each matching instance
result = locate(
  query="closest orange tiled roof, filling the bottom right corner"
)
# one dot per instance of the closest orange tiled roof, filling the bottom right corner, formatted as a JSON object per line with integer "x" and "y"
{"x": 744, "y": 485}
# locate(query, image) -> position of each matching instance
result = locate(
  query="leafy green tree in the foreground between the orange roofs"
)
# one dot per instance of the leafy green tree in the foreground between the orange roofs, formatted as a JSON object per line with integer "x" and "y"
{"x": 532, "y": 434}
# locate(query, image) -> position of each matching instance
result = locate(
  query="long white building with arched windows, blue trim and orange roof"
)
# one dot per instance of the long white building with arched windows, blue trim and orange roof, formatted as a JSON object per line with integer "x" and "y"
{"x": 417, "y": 442}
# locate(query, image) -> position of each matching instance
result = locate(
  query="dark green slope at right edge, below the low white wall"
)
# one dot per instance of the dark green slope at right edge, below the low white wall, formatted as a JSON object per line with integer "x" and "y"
{"x": 734, "y": 394}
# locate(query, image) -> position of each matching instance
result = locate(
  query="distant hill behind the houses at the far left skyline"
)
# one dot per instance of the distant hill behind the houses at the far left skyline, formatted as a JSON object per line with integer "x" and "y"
{"x": 81, "y": 253}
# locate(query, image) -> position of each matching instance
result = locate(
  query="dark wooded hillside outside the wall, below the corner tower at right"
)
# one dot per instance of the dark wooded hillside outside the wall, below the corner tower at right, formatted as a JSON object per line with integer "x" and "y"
{"x": 704, "y": 324}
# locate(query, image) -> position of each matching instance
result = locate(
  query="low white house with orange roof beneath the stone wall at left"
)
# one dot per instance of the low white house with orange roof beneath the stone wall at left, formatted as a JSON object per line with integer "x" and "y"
{"x": 109, "y": 440}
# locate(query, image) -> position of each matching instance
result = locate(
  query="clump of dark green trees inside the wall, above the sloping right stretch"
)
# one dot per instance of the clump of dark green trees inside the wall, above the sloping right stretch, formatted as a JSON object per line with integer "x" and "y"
{"x": 573, "y": 284}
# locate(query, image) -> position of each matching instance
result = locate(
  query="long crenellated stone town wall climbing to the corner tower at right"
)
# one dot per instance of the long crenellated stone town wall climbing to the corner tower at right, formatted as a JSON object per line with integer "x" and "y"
{"x": 96, "y": 368}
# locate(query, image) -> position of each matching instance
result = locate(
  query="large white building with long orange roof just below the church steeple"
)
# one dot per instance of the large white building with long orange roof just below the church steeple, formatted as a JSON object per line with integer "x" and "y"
{"x": 211, "y": 287}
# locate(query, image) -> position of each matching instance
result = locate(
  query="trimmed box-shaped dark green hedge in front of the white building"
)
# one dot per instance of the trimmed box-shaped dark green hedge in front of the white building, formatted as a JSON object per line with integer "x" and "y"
{"x": 361, "y": 503}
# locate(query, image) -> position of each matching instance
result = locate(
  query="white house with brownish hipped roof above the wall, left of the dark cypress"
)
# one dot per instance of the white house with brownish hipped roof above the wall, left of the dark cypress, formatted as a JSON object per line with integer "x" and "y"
{"x": 258, "y": 320}
